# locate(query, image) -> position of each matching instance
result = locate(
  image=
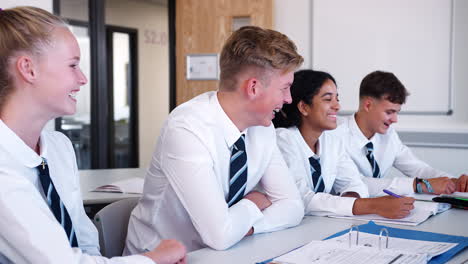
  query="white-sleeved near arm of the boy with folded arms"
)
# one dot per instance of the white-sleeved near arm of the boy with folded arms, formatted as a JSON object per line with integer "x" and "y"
{"x": 189, "y": 167}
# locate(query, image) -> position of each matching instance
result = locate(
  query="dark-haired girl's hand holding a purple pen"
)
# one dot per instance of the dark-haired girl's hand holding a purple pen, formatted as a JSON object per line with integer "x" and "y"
{"x": 392, "y": 207}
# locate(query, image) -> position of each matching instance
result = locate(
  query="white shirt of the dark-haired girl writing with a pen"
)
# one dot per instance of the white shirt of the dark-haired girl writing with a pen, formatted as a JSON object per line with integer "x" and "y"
{"x": 338, "y": 172}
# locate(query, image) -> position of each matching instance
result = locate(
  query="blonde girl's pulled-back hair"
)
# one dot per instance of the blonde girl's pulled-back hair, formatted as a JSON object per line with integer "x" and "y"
{"x": 22, "y": 29}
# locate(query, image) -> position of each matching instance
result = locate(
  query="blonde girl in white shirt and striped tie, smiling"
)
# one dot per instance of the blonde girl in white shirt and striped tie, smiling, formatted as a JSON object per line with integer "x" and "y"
{"x": 42, "y": 219}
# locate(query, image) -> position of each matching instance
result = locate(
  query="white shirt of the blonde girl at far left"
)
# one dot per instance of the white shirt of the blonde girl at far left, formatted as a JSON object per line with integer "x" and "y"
{"x": 29, "y": 232}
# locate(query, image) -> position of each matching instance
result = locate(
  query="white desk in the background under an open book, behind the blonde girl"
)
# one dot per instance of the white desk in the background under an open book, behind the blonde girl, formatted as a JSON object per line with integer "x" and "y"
{"x": 90, "y": 179}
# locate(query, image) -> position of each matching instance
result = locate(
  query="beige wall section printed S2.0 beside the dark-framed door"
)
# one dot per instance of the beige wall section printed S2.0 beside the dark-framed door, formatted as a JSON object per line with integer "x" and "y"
{"x": 151, "y": 20}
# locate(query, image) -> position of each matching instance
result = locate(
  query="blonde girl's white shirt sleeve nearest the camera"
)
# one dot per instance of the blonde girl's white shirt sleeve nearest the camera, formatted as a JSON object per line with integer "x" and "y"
{"x": 30, "y": 234}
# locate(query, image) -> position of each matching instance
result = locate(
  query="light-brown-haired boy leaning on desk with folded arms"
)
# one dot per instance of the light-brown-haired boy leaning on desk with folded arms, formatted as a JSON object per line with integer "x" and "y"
{"x": 214, "y": 149}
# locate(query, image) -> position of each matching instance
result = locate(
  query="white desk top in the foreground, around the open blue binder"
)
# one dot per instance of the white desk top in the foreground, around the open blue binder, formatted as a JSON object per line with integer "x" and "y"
{"x": 264, "y": 246}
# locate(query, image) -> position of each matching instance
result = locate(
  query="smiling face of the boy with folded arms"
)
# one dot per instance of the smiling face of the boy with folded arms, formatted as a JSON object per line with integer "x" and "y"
{"x": 270, "y": 98}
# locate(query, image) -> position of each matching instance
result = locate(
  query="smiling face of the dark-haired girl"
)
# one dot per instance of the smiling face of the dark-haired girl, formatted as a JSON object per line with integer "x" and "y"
{"x": 320, "y": 115}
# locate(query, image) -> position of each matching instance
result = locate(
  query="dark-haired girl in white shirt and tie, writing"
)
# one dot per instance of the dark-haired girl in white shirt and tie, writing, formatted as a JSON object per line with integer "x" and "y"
{"x": 326, "y": 177}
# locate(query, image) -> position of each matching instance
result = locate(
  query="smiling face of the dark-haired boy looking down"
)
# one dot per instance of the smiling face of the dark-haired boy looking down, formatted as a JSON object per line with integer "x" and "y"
{"x": 381, "y": 114}
